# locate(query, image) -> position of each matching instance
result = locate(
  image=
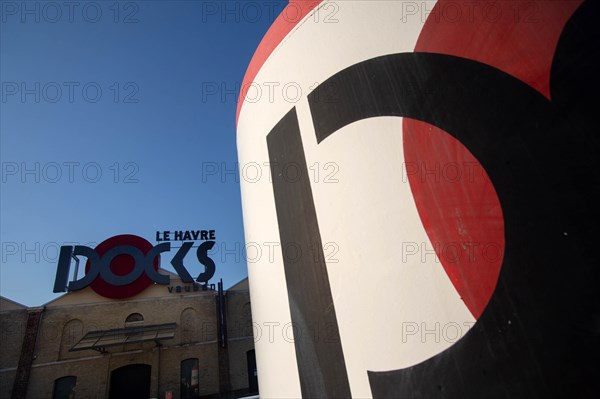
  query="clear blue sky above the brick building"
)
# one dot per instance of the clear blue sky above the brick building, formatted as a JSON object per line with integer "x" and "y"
{"x": 82, "y": 166}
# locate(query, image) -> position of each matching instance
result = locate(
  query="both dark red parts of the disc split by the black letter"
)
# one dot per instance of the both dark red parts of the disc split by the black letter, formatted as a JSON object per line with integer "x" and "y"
{"x": 519, "y": 39}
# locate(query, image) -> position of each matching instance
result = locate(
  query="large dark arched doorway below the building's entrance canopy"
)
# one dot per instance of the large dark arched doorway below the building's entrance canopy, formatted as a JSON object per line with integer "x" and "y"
{"x": 130, "y": 382}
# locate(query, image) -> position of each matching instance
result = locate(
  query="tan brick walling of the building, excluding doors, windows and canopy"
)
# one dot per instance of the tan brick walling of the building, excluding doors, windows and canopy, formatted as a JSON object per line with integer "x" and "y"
{"x": 64, "y": 325}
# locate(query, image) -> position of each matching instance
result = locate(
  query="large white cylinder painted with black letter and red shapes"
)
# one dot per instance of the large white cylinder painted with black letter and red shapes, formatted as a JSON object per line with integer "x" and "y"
{"x": 419, "y": 190}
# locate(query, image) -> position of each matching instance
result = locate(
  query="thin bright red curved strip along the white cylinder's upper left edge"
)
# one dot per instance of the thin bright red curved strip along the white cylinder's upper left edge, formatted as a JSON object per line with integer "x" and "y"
{"x": 291, "y": 15}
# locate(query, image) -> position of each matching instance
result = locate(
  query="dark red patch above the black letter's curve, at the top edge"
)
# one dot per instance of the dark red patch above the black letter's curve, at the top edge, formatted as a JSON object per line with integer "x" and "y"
{"x": 518, "y": 38}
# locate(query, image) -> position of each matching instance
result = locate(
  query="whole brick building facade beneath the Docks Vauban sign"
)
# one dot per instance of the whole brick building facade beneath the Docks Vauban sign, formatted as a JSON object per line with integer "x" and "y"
{"x": 164, "y": 342}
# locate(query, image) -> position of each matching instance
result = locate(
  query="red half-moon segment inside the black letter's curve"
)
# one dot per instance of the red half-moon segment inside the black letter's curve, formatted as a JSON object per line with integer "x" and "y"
{"x": 458, "y": 208}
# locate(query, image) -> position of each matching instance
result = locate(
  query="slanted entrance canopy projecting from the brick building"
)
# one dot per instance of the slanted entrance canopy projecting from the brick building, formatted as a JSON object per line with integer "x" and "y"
{"x": 101, "y": 339}
